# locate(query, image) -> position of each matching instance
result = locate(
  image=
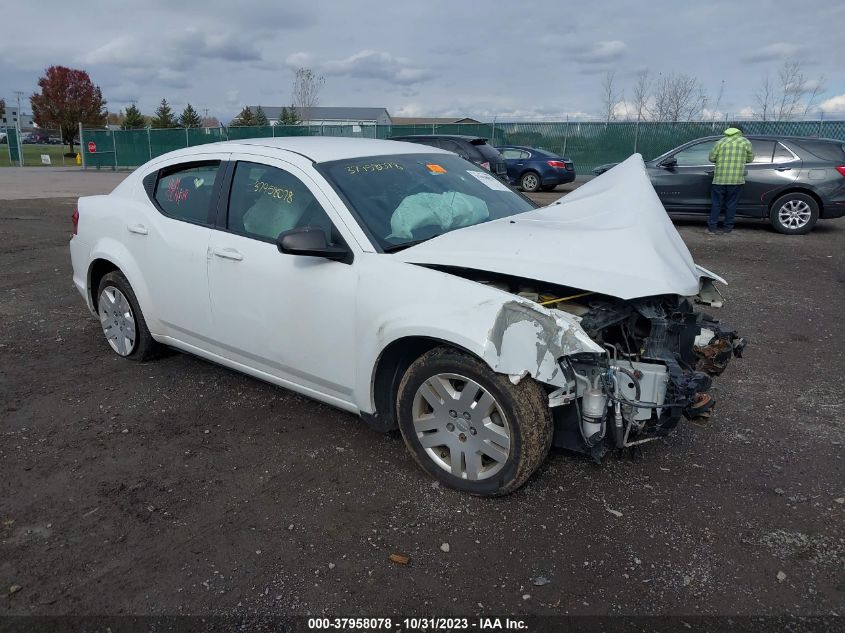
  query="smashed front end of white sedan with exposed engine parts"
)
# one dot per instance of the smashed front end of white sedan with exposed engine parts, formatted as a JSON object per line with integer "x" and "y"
{"x": 661, "y": 355}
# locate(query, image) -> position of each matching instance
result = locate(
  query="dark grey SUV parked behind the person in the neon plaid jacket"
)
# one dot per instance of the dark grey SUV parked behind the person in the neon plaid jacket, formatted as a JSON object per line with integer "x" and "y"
{"x": 793, "y": 181}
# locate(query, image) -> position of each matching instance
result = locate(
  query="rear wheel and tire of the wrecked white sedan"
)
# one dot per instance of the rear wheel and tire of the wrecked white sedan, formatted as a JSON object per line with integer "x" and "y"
{"x": 122, "y": 321}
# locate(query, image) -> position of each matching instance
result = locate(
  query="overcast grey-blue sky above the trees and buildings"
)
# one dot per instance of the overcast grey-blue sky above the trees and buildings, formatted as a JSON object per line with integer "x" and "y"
{"x": 516, "y": 59}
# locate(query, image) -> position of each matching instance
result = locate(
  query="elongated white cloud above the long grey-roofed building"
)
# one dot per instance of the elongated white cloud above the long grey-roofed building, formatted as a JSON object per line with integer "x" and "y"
{"x": 366, "y": 64}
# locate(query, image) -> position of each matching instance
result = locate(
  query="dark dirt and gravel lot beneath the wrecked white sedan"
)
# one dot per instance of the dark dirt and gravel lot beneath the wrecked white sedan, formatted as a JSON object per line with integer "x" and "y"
{"x": 179, "y": 487}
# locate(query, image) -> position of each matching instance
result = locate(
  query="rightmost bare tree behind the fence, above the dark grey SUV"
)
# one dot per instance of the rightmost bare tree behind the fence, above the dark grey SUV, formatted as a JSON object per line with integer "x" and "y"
{"x": 788, "y": 96}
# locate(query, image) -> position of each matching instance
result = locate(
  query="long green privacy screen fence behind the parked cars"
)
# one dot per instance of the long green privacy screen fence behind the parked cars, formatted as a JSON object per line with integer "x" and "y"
{"x": 588, "y": 144}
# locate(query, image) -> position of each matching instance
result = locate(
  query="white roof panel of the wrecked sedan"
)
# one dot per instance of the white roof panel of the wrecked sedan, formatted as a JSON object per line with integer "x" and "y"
{"x": 316, "y": 148}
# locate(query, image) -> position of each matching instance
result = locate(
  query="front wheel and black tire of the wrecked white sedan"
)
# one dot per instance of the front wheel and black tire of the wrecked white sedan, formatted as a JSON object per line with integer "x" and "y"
{"x": 495, "y": 453}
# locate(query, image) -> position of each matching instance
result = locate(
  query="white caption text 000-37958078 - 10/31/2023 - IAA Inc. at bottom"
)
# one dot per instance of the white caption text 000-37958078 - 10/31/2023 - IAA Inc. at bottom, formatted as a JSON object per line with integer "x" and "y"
{"x": 418, "y": 623}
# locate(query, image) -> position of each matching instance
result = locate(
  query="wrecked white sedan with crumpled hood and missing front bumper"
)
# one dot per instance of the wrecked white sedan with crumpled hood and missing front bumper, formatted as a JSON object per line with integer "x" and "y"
{"x": 413, "y": 288}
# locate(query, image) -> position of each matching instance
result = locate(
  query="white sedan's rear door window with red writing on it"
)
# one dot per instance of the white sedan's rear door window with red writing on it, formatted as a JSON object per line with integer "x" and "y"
{"x": 184, "y": 192}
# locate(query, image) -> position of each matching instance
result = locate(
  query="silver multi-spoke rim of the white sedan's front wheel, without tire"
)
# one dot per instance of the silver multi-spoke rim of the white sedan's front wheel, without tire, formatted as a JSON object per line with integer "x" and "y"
{"x": 461, "y": 427}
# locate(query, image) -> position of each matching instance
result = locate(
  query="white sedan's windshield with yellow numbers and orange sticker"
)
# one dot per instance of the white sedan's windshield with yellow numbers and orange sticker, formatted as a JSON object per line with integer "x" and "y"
{"x": 405, "y": 199}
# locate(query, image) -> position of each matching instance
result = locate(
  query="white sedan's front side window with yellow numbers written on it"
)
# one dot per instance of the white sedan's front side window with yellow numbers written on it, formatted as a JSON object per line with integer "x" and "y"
{"x": 266, "y": 201}
